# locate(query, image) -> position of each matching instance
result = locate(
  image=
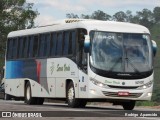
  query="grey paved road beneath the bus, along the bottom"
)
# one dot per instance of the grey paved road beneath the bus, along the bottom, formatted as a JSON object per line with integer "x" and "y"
{"x": 63, "y": 112}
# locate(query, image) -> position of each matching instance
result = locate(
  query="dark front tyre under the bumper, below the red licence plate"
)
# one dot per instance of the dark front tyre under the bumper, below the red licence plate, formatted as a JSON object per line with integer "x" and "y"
{"x": 129, "y": 105}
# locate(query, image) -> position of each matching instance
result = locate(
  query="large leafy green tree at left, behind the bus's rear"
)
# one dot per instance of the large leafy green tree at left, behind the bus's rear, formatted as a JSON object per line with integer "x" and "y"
{"x": 14, "y": 15}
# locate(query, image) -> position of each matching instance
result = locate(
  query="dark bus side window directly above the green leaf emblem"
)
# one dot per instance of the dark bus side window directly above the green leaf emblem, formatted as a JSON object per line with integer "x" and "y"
{"x": 53, "y": 44}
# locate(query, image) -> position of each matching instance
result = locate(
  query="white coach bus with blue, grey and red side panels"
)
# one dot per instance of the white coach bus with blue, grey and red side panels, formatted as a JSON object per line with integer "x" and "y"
{"x": 81, "y": 61}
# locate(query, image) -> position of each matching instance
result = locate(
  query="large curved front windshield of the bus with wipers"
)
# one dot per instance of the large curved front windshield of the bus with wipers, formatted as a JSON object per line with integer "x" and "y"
{"x": 121, "y": 52}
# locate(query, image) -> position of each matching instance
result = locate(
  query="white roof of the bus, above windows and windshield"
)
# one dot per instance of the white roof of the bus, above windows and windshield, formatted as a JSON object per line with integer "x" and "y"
{"x": 110, "y": 26}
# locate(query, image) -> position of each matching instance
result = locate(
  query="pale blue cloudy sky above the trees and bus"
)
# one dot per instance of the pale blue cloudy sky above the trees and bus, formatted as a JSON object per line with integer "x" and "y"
{"x": 54, "y": 10}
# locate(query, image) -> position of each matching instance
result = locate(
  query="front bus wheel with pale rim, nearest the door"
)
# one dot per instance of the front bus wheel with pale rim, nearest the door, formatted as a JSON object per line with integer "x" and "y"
{"x": 72, "y": 102}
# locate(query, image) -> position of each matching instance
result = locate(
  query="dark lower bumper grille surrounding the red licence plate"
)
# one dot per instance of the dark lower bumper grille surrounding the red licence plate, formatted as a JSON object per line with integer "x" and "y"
{"x": 115, "y": 94}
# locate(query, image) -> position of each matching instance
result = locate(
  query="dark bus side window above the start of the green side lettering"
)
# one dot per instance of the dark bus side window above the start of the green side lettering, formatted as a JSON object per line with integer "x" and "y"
{"x": 59, "y": 44}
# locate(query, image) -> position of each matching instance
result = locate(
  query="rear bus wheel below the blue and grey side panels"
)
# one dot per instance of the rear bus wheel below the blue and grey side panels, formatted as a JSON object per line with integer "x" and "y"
{"x": 28, "y": 95}
